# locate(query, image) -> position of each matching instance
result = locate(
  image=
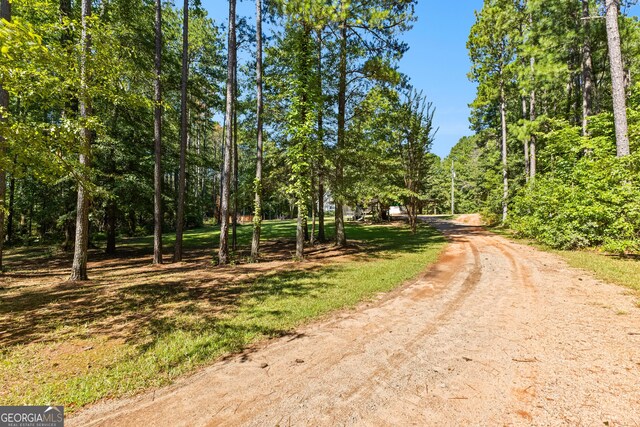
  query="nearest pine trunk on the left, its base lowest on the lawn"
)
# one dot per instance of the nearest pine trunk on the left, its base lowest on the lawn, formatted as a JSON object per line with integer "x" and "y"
{"x": 79, "y": 267}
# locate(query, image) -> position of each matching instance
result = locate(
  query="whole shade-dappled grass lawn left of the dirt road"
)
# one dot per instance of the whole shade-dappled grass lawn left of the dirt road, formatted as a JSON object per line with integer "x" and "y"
{"x": 135, "y": 326}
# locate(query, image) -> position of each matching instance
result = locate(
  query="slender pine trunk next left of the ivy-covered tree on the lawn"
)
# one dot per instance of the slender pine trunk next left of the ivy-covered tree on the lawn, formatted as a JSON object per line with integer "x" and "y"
{"x": 257, "y": 213}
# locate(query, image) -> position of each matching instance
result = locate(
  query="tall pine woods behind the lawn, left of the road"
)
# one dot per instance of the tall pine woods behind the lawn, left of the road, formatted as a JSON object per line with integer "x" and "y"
{"x": 133, "y": 117}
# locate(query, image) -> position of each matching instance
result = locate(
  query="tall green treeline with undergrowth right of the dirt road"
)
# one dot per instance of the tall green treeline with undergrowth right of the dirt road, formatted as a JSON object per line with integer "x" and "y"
{"x": 555, "y": 154}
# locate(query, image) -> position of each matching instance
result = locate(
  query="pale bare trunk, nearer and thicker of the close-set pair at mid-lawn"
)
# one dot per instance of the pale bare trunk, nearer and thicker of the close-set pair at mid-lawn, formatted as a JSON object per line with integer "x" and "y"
{"x": 223, "y": 254}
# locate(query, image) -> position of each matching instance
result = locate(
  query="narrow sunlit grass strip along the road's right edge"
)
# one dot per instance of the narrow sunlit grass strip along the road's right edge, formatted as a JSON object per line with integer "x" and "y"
{"x": 624, "y": 271}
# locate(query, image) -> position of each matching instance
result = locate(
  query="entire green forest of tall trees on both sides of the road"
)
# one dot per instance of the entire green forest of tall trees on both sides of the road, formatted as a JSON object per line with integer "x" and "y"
{"x": 127, "y": 118}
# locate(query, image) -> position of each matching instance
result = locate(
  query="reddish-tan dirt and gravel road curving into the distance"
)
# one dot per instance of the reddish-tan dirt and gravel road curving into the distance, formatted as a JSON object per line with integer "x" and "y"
{"x": 496, "y": 333}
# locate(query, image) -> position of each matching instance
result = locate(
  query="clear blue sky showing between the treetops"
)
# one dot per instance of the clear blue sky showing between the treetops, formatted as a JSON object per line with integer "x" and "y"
{"x": 437, "y": 61}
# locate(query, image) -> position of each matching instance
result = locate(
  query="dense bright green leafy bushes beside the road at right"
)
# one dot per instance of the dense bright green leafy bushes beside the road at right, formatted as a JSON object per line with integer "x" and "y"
{"x": 586, "y": 197}
